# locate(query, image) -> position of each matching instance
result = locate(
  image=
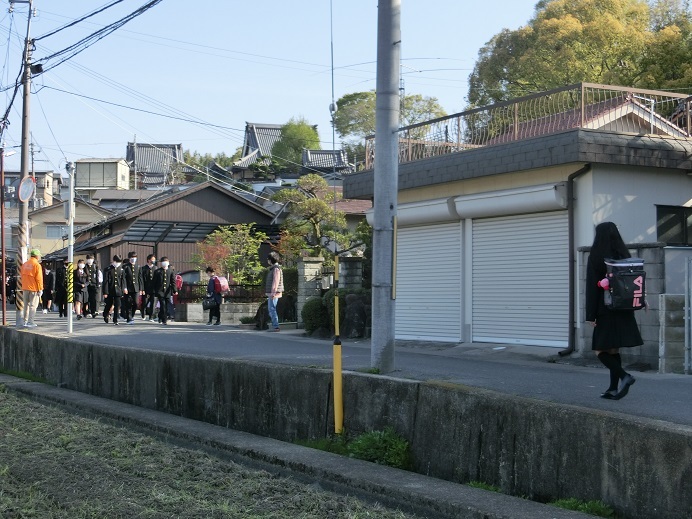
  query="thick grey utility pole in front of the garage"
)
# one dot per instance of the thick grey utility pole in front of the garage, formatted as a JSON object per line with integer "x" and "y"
{"x": 386, "y": 184}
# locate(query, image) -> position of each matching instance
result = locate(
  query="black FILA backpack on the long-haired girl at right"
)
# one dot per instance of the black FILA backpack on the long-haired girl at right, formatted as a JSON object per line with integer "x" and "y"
{"x": 626, "y": 284}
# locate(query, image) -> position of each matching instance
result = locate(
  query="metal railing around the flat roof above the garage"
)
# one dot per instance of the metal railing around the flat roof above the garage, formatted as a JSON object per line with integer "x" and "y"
{"x": 584, "y": 105}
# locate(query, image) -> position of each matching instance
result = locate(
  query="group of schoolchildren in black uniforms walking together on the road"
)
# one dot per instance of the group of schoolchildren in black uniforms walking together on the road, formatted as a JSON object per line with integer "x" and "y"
{"x": 125, "y": 286}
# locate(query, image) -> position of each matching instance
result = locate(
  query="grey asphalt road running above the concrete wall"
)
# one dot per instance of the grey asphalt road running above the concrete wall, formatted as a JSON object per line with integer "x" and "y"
{"x": 532, "y": 372}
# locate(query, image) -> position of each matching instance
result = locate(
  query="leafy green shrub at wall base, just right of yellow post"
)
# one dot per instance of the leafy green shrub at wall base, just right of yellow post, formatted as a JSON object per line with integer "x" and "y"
{"x": 383, "y": 447}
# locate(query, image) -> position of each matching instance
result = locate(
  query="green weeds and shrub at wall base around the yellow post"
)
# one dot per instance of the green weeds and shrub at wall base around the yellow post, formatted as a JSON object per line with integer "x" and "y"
{"x": 383, "y": 447}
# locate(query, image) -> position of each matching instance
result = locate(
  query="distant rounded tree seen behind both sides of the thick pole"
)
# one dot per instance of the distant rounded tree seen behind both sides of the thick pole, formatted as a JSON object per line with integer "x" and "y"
{"x": 355, "y": 116}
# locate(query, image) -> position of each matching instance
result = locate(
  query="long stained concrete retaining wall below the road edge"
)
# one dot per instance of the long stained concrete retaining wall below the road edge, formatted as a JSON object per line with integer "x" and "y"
{"x": 526, "y": 447}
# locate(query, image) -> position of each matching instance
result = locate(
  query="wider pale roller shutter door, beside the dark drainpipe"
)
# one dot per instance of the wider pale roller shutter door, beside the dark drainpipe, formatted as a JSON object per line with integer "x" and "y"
{"x": 520, "y": 280}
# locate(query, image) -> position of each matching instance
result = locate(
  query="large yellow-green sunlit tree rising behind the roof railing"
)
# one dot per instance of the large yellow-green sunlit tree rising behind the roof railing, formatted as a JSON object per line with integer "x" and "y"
{"x": 567, "y": 41}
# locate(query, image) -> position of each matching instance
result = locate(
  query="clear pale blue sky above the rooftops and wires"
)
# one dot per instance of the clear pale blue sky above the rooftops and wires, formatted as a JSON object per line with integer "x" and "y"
{"x": 195, "y": 72}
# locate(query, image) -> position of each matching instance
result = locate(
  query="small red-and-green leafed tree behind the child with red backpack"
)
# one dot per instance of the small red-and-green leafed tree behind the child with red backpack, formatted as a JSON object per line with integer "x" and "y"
{"x": 234, "y": 250}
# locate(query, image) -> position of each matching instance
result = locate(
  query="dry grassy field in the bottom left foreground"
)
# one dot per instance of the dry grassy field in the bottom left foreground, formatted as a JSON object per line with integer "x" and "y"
{"x": 54, "y": 464}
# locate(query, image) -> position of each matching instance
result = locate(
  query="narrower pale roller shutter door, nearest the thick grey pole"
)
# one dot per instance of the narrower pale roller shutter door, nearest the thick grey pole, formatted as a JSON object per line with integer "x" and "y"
{"x": 428, "y": 274}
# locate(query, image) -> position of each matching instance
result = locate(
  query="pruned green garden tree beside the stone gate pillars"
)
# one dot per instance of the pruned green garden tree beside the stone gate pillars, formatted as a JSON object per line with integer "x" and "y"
{"x": 312, "y": 217}
